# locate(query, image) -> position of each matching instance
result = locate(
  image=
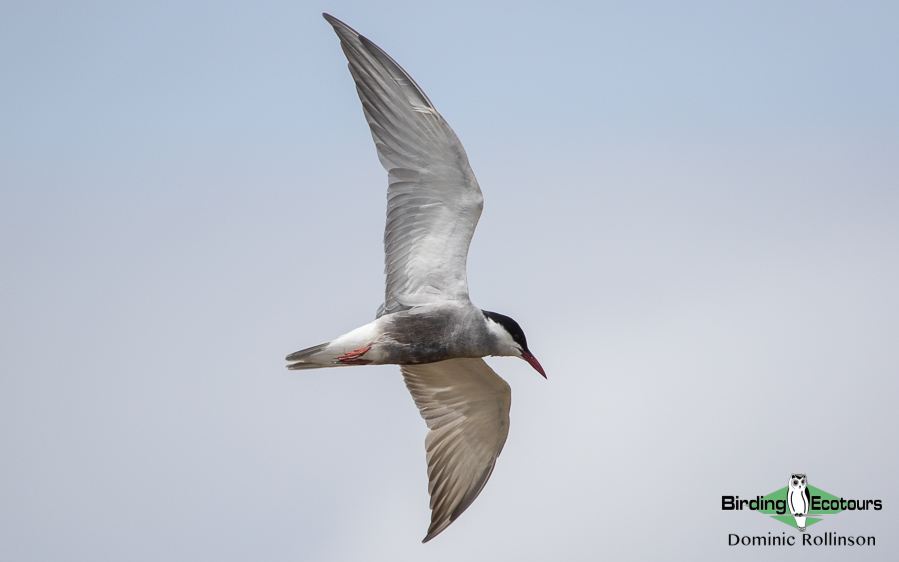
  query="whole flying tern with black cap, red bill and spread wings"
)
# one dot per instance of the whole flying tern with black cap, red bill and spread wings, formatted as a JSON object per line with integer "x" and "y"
{"x": 427, "y": 325}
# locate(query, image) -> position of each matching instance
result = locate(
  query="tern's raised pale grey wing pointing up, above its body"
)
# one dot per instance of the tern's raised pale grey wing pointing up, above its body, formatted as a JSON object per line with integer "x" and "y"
{"x": 433, "y": 198}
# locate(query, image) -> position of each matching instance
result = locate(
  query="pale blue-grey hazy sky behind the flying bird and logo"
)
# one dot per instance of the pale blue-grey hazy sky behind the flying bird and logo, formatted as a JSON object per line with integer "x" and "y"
{"x": 691, "y": 208}
